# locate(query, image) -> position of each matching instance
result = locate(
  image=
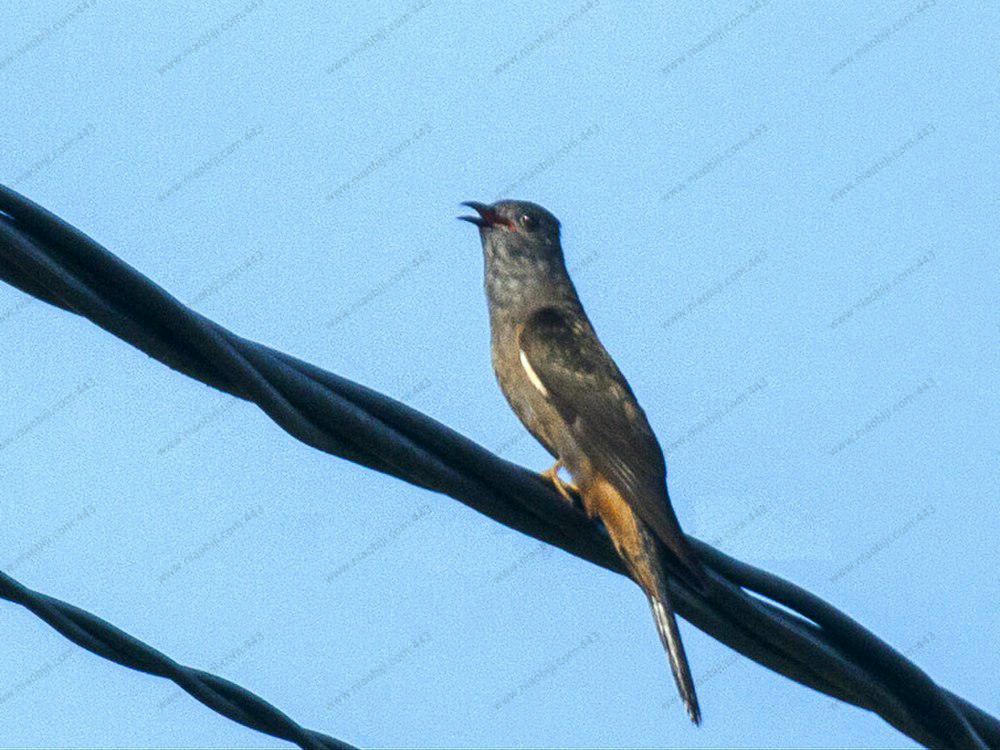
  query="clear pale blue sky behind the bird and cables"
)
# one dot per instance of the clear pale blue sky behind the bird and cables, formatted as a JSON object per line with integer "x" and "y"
{"x": 782, "y": 218}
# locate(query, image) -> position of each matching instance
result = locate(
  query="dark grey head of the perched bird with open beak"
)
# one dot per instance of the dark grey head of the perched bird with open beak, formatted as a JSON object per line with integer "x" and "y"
{"x": 516, "y": 231}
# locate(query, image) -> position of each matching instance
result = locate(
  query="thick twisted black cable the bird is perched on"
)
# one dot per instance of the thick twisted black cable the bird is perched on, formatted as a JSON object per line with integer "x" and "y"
{"x": 819, "y": 647}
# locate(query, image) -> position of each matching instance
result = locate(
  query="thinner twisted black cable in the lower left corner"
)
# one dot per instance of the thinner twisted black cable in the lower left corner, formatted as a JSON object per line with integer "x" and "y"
{"x": 219, "y": 694}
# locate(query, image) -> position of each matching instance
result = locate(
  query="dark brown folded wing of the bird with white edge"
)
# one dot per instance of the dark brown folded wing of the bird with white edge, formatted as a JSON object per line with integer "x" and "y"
{"x": 567, "y": 363}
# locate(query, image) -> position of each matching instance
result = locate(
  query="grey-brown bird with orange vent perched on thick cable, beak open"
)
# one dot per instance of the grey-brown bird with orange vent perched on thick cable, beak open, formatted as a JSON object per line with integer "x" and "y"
{"x": 568, "y": 392}
